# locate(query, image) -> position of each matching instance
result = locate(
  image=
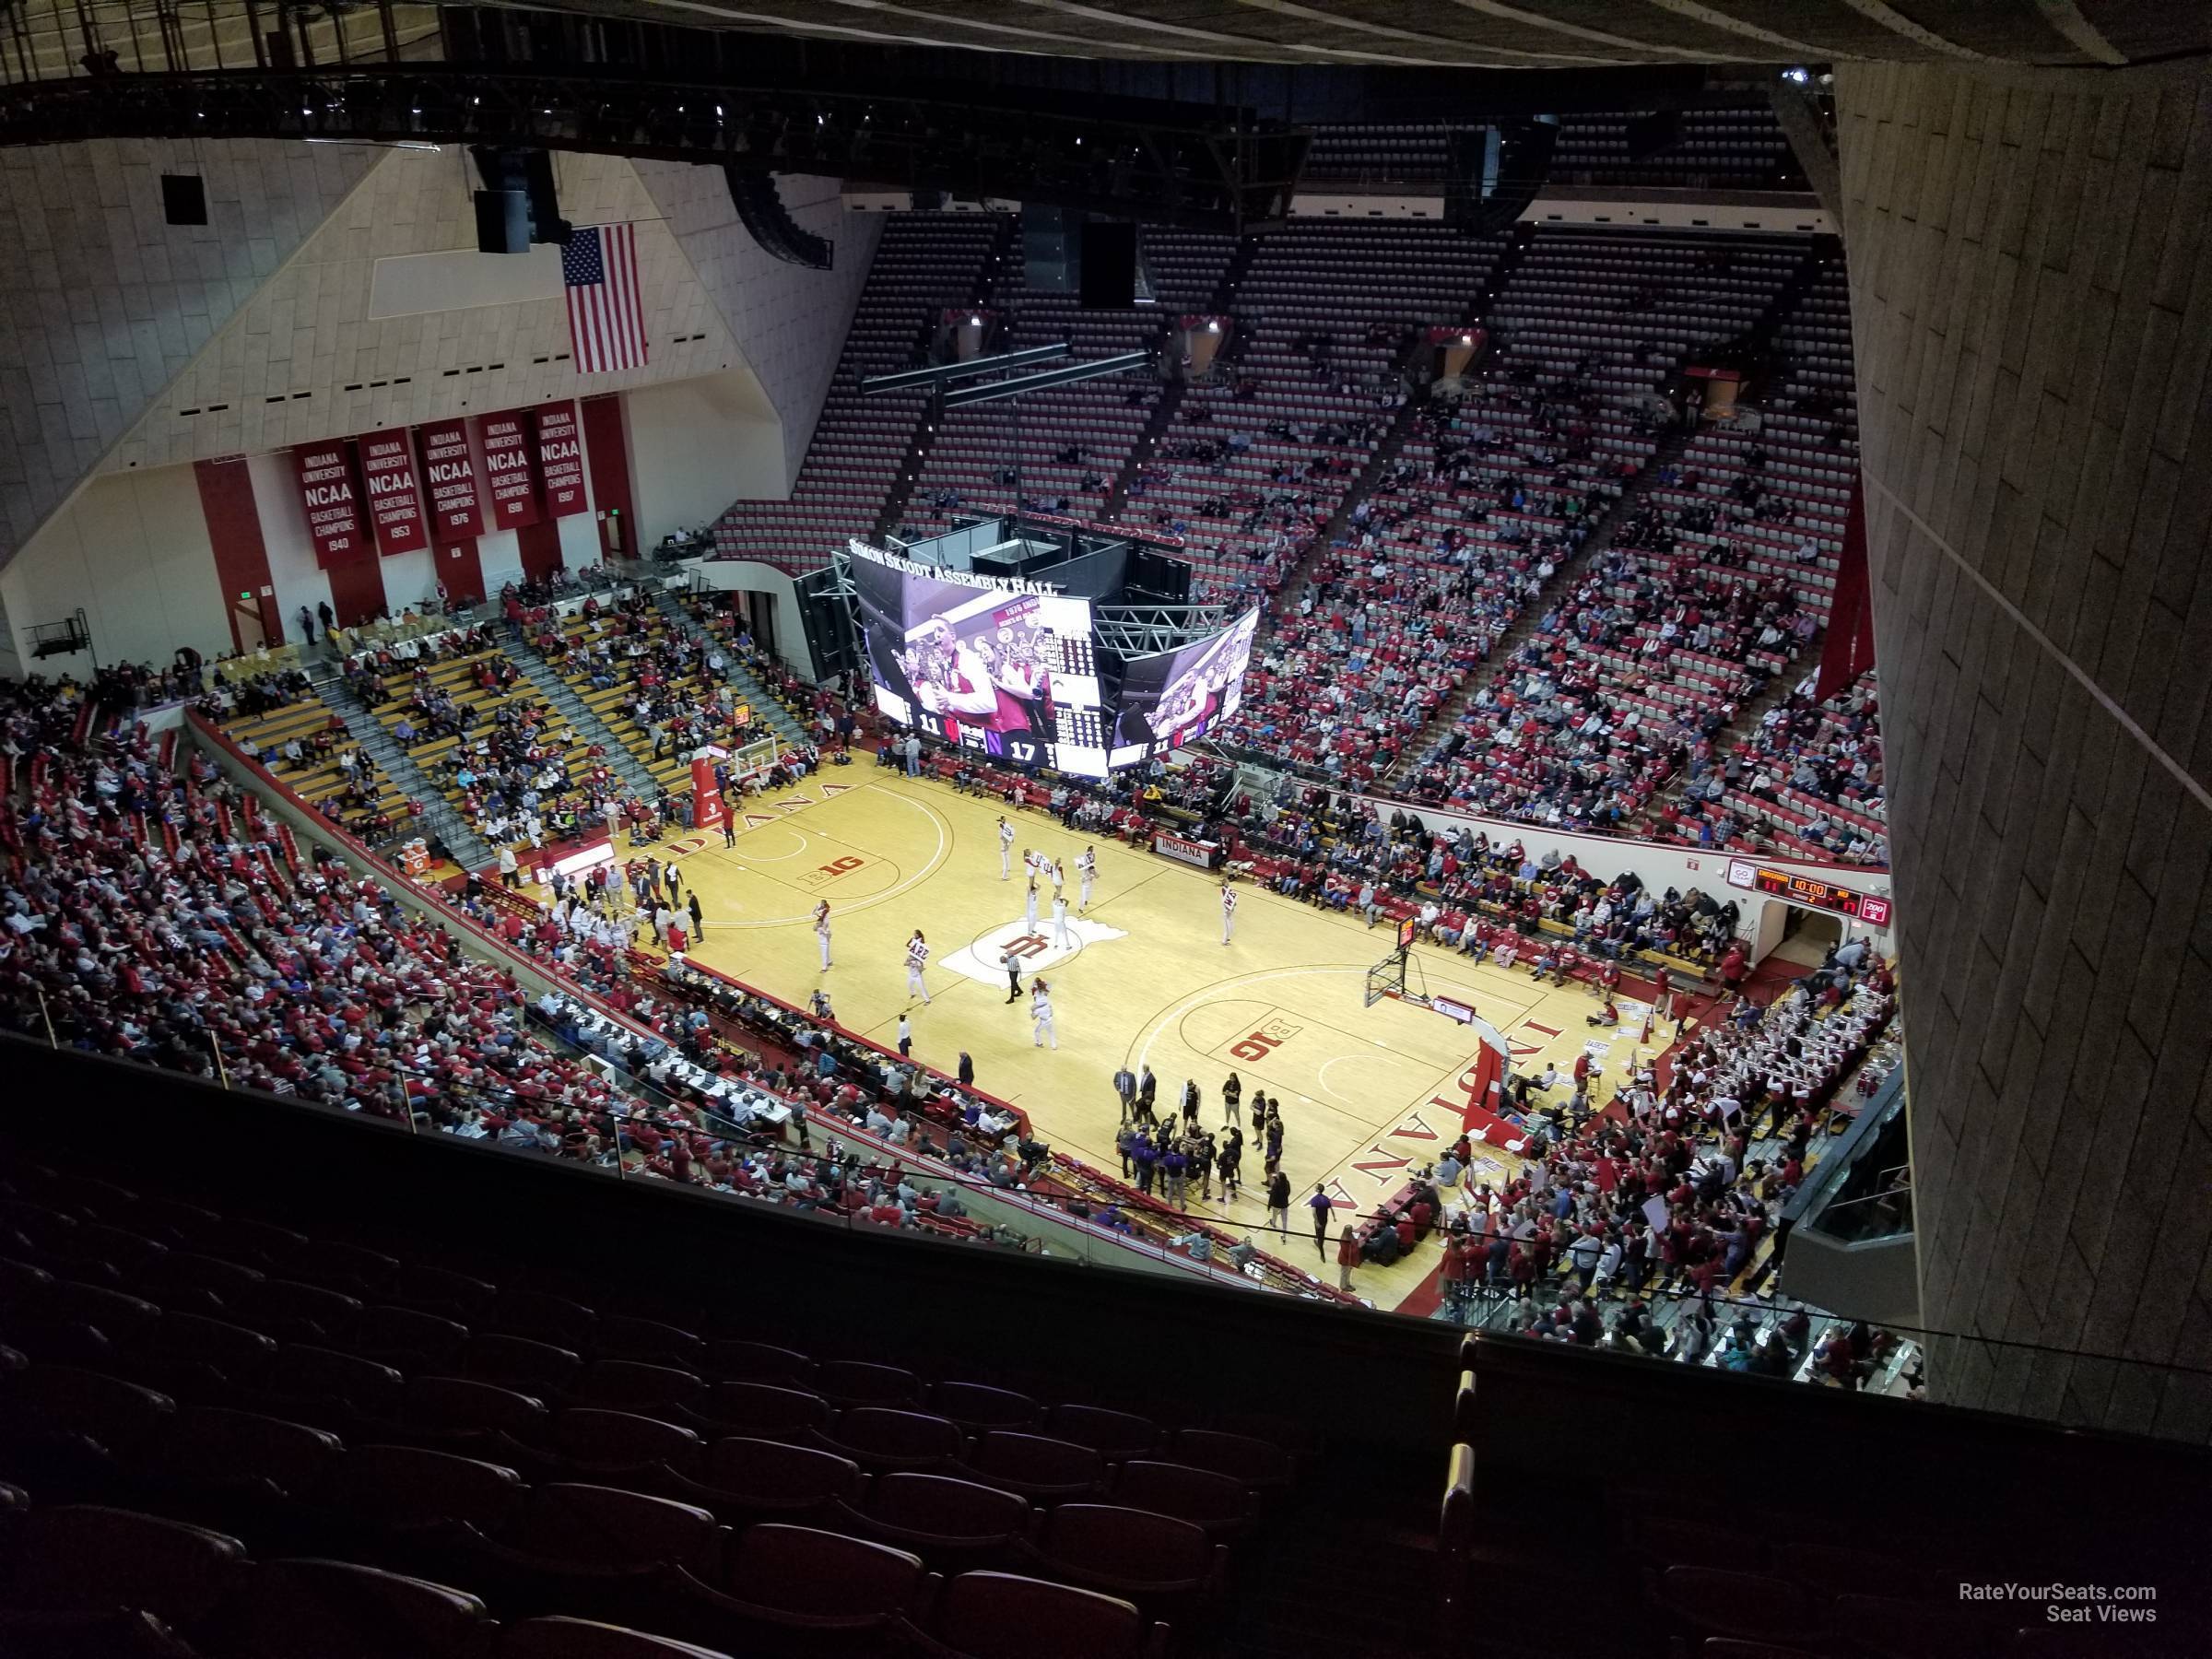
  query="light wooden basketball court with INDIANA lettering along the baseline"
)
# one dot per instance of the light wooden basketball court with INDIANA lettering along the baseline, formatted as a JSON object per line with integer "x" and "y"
{"x": 1368, "y": 1092}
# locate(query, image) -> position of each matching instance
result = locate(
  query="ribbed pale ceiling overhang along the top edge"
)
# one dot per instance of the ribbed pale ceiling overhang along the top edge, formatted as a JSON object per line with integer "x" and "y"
{"x": 1485, "y": 34}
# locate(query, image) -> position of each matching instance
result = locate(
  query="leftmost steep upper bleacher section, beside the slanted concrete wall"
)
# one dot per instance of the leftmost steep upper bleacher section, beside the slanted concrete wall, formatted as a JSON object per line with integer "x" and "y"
{"x": 926, "y": 262}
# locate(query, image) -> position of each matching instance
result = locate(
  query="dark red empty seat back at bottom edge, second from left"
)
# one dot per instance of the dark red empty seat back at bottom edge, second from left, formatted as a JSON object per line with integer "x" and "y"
{"x": 346, "y": 1611}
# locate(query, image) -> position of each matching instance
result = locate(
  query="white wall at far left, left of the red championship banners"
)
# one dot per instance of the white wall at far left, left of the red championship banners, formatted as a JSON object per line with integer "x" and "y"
{"x": 134, "y": 552}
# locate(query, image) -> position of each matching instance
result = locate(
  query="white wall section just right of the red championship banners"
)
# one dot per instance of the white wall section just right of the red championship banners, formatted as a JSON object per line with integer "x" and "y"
{"x": 696, "y": 448}
